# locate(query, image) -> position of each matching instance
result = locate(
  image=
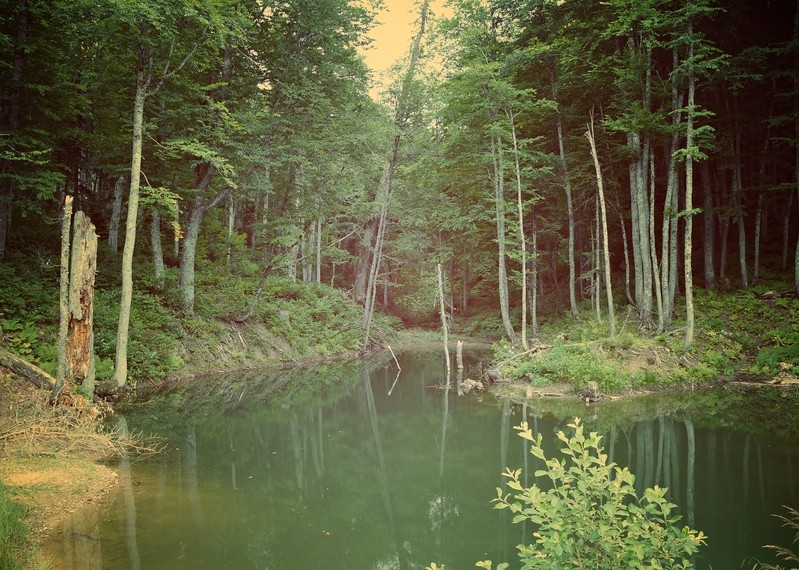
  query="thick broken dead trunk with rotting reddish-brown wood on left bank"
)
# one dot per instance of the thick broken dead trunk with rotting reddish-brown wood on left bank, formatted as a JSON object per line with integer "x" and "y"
{"x": 80, "y": 345}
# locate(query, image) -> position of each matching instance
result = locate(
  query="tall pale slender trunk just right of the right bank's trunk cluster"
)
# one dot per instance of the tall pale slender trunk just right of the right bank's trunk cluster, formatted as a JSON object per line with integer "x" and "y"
{"x": 689, "y": 188}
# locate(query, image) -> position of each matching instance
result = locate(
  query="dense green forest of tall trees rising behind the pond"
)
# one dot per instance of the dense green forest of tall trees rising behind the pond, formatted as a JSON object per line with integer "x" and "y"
{"x": 549, "y": 158}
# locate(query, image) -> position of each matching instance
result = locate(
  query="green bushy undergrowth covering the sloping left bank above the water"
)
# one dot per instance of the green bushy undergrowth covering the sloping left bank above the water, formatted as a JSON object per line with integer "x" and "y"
{"x": 291, "y": 321}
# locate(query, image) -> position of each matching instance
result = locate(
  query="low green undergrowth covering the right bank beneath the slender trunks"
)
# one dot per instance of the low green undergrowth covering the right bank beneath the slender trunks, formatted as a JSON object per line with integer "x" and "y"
{"x": 752, "y": 334}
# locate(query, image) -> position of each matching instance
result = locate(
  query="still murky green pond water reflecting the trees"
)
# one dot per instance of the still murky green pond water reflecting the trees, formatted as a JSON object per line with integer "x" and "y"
{"x": 351, "y": 467}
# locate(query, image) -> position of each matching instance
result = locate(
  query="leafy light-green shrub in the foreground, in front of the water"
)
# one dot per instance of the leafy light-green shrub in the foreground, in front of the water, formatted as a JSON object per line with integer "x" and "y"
{"x": 590, "y": 515}
